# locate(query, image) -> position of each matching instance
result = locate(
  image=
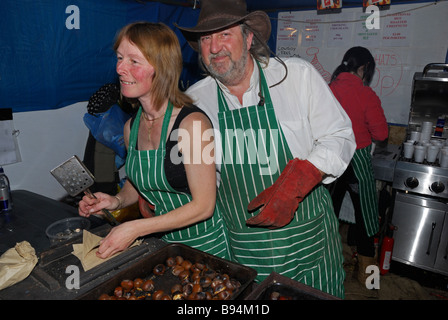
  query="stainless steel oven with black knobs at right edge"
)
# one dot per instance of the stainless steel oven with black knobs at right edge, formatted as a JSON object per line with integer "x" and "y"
{"x": 420, "y": 211}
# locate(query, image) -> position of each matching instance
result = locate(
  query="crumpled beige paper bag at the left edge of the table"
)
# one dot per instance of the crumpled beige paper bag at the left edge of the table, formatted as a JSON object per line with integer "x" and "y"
{"x": 16, "y": 264}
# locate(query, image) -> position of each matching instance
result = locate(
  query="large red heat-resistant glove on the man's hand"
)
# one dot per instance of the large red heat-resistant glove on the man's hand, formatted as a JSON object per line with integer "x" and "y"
{"x": 280, "y": 201}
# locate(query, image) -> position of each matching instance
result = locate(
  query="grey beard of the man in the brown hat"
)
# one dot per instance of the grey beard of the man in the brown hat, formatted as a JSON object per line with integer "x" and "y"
{"x": 236, "y": 69}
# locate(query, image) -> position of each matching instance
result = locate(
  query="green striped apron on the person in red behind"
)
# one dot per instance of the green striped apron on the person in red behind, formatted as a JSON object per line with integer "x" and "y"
{"x": 363, "y": 169}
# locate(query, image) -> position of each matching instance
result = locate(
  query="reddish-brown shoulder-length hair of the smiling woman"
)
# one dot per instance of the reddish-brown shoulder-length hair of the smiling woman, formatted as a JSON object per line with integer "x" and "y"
{"x": 160, "y": 46}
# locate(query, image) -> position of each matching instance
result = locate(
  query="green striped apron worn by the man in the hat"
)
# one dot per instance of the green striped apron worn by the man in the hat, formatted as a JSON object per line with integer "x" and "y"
{"x": 255, "y": 152}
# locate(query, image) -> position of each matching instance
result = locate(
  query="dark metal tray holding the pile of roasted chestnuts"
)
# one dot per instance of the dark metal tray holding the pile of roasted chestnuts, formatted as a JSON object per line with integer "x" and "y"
{"x": 143, "y": 269}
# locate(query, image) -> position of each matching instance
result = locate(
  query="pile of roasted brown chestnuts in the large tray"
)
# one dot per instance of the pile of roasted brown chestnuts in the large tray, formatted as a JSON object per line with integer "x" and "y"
{"x": 195, "y": 281}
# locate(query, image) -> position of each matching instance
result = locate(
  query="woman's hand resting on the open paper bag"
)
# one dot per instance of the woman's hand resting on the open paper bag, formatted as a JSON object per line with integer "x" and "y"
{"x": 118, "y": 239}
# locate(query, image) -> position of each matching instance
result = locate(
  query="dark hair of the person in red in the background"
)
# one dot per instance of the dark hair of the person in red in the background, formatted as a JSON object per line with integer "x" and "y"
{"x": 355, "y": 58}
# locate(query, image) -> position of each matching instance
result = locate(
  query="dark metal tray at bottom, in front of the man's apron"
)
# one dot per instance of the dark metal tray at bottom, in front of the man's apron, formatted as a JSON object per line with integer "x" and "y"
{"x": 288, "y": 288}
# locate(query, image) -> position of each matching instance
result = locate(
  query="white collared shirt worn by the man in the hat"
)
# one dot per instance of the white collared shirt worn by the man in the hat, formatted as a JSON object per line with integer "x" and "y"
{"x": 315, "y": 125}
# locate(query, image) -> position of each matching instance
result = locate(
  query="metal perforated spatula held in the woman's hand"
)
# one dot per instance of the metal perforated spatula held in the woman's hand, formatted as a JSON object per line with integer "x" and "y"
{"x": 75, "y": 178}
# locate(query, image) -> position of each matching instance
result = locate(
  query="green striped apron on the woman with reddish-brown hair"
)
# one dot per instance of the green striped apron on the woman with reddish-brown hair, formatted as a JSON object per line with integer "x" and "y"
{"x": 145, "y": 169}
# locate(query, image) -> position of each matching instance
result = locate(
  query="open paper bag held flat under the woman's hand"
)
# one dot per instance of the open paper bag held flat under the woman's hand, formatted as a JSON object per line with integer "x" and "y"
{"x": 86, "y": 251}
